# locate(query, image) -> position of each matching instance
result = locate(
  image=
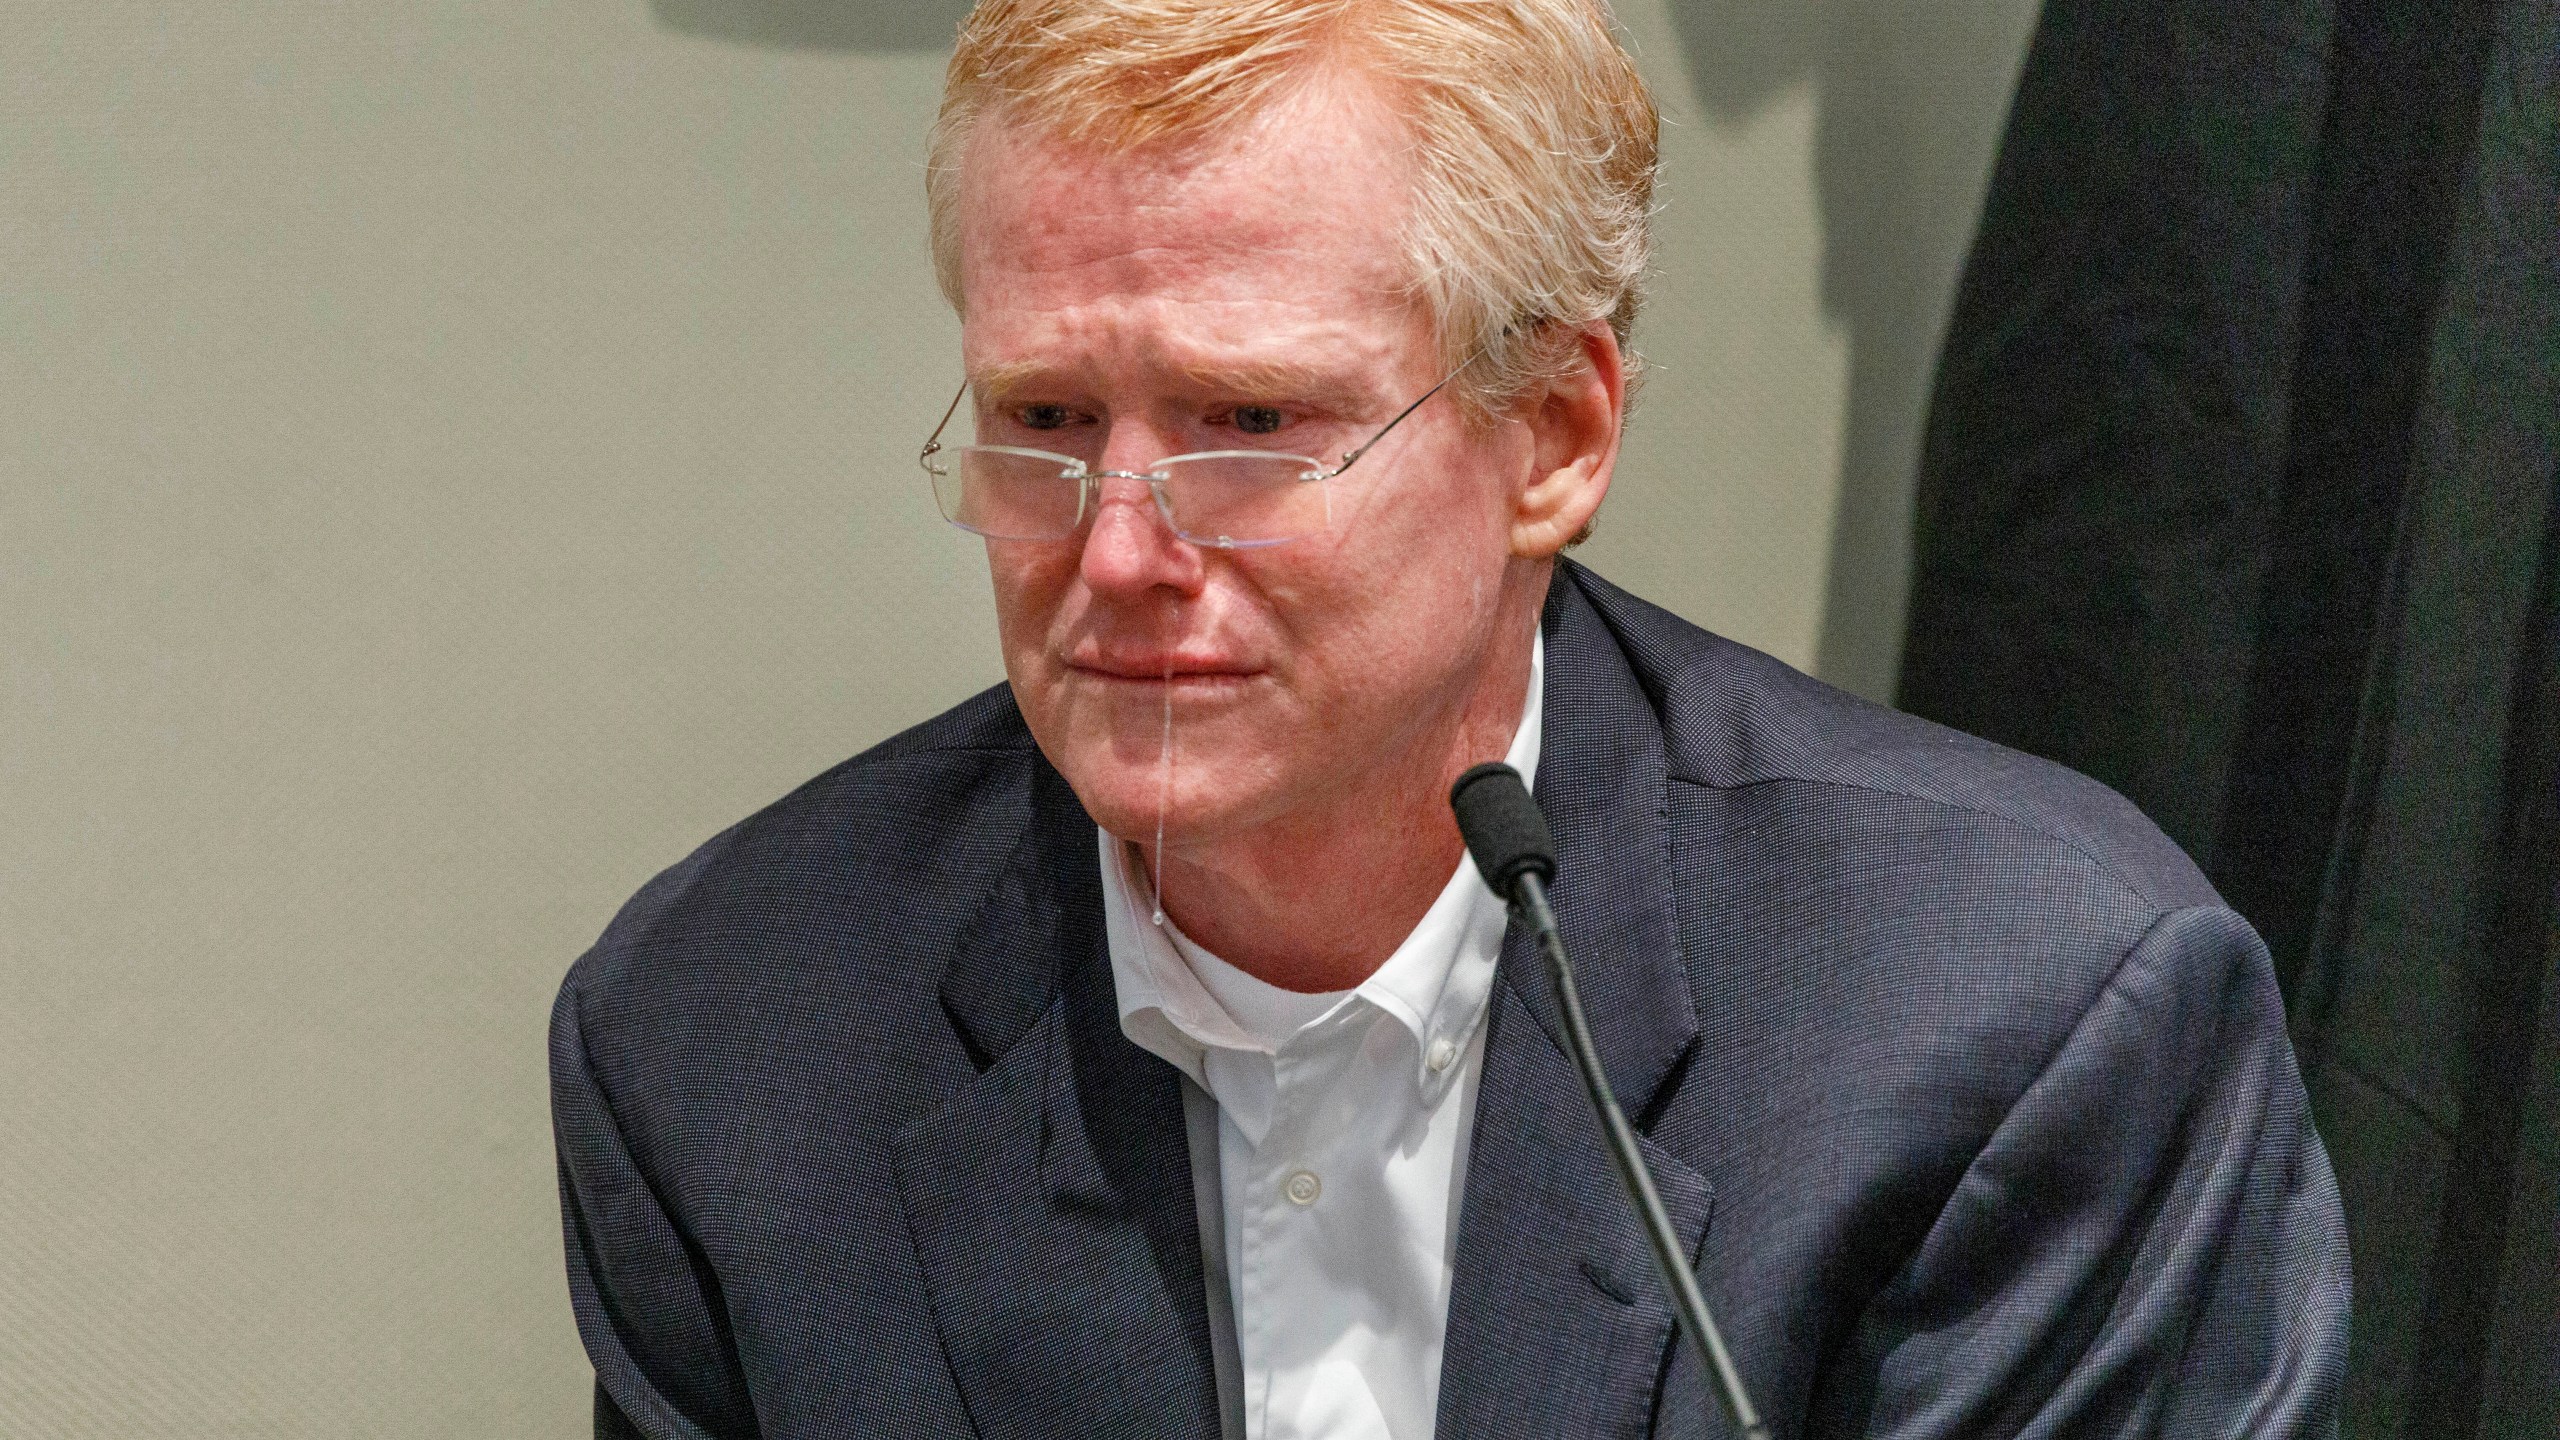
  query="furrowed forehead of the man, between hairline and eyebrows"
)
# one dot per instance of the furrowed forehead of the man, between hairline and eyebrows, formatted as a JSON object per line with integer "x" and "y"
{"x": 1284, "y": 227}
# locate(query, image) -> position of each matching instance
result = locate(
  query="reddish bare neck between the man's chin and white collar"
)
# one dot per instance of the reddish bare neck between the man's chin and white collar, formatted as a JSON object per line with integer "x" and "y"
{"x": 1320, "y": 901}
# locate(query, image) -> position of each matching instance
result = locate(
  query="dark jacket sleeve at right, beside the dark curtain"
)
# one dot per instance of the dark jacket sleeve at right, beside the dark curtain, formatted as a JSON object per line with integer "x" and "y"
{"x": 2149, "y": 1244}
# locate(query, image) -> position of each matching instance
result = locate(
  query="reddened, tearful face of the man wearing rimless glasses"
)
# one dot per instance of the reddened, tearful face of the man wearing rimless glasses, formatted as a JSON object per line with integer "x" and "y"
{"x": 1251, "y": 296}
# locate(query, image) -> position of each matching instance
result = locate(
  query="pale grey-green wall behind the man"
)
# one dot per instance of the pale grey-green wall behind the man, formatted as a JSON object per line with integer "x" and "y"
{"x": 457, "y": 457}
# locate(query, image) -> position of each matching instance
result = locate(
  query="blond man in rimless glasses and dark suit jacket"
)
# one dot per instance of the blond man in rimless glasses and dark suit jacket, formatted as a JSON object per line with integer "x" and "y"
{"x": 1133, "y": 1052}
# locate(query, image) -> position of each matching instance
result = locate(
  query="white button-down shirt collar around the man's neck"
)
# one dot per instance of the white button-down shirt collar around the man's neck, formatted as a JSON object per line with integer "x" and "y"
{"x": 1435, "y": 985}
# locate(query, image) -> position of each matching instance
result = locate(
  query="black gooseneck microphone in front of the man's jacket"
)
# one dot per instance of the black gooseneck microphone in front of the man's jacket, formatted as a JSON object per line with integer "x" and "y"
{"x": 1507, "y": 834}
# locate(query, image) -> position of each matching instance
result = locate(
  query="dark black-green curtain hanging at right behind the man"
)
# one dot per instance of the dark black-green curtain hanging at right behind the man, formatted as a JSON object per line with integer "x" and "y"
{"x": 2239, "y": 493}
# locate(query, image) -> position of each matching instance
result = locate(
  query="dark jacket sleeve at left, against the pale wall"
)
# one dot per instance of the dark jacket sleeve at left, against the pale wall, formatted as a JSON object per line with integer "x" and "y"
{"x": 649, "y": 1303}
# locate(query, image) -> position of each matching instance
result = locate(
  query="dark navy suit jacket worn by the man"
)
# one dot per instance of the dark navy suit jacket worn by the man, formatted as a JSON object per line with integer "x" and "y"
{"x": 1967, "y": 1093}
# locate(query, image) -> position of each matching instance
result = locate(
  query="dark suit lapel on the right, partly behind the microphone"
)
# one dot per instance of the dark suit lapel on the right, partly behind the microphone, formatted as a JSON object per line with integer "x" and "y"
{"x": 1558, "y": 1323}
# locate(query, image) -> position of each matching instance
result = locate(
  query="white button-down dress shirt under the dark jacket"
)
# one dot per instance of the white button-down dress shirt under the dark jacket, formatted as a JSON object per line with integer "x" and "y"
{"x": 1343, "y": 1141}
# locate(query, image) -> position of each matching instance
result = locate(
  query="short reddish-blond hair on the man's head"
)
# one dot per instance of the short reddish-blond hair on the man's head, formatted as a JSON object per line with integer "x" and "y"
{"x": 1535, "y": 140}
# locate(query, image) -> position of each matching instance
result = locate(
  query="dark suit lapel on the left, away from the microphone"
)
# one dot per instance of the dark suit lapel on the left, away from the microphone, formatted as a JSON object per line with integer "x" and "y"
{"x": 1051, "y": 1198}
